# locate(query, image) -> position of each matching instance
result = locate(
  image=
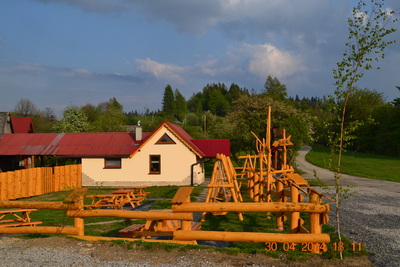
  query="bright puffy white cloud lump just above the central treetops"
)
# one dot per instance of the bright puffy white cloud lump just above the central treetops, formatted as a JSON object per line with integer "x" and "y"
{"x": 267, "y": 59}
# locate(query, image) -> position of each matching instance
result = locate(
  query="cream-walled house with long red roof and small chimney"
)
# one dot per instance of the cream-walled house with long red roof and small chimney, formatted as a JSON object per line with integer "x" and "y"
{"x": 169, "y": 150}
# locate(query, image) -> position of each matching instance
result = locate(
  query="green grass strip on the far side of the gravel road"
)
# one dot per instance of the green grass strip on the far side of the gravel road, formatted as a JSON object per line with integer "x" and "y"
{"x": 358, "y": 164}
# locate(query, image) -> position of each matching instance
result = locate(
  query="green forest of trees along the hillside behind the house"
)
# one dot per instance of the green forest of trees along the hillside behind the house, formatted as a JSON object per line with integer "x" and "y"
{"x": 233, "y": 112}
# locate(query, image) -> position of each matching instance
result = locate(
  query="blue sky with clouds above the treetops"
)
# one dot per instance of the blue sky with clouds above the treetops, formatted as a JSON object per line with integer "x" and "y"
{"x": 58, "y": 53}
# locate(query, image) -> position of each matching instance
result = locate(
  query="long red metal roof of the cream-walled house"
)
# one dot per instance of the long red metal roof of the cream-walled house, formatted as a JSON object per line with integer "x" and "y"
{"x": 120, "y": 144}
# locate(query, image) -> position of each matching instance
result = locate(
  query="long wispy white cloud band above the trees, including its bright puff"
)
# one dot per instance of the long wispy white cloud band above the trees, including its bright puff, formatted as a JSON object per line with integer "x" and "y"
{"x": 244, "y": 60}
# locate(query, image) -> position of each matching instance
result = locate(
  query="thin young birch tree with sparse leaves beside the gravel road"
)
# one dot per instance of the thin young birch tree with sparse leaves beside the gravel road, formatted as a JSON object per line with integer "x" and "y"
{"x": 368, "y": 28}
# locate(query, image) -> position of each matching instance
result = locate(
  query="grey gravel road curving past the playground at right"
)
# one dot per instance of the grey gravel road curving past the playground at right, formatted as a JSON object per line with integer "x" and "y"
{"x": 371, "y": 215}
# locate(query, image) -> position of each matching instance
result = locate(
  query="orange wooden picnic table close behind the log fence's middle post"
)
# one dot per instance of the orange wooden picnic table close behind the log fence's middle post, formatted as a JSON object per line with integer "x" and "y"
{"x": 154, "y": 227}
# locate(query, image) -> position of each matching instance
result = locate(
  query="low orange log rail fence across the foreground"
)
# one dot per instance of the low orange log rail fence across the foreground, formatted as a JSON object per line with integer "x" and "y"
{"x": 182, "y": 209}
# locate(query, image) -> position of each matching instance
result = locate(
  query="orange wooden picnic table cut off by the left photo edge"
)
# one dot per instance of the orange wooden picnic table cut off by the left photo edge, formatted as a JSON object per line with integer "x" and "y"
{"x": 16, "y": 217}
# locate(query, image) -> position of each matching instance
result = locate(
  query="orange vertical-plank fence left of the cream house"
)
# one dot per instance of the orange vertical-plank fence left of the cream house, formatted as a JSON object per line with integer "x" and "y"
{"x": 39, "y": 181}
